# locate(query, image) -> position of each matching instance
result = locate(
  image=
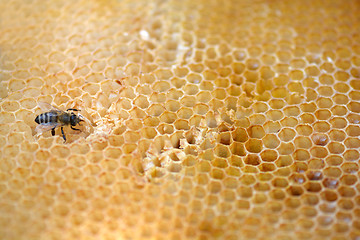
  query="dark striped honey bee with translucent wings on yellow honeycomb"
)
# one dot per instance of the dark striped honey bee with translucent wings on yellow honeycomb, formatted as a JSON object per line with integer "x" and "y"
{"x": 54, "y": 117}
